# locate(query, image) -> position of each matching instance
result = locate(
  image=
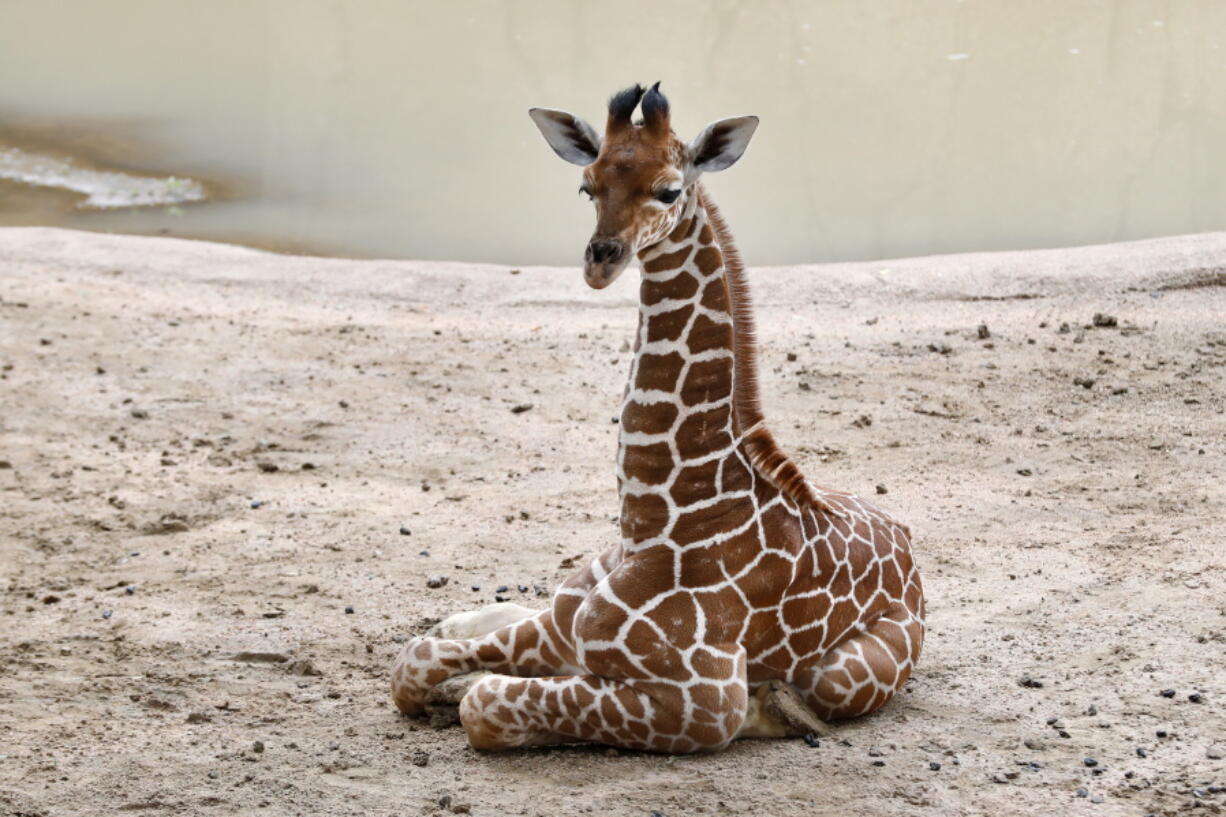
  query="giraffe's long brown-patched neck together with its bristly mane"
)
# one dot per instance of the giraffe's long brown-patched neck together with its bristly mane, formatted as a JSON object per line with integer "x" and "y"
{"x": 692, "y": 398}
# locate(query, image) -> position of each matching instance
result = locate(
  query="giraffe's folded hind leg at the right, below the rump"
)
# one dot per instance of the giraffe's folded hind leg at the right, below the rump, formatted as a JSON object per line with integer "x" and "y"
{"x": 865, "y": 672}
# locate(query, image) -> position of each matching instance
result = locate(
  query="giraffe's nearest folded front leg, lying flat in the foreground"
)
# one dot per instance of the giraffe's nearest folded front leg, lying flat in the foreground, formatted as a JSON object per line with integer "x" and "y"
{"x": 502, "y": 713}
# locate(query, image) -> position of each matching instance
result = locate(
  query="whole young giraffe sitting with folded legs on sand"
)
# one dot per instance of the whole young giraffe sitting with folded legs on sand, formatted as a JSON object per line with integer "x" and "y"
{"x": 735, "y": 577}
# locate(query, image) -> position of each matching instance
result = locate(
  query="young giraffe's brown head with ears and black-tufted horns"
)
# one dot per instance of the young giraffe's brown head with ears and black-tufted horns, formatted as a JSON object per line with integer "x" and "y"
{"x": 639, "y": 176}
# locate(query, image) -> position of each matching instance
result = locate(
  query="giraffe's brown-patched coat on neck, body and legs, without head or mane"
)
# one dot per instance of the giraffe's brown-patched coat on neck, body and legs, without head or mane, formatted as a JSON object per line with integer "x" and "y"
{"x": 720, "y": 582}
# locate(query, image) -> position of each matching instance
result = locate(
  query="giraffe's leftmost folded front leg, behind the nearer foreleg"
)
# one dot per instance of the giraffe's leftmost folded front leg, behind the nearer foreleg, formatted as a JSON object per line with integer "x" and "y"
{"x": 527, "y": 647}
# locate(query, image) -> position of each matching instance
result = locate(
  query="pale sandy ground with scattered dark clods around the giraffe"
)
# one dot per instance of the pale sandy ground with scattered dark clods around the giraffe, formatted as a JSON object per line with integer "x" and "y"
{"x": 210, "y": 451}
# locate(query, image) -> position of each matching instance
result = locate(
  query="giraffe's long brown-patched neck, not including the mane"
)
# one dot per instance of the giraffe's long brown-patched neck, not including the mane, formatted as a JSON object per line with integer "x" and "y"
{"x": 679, "y": 421}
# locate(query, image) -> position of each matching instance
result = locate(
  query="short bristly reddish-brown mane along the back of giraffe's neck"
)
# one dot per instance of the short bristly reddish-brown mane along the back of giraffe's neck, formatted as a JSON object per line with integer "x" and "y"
{"x": 767, "y": 458}
